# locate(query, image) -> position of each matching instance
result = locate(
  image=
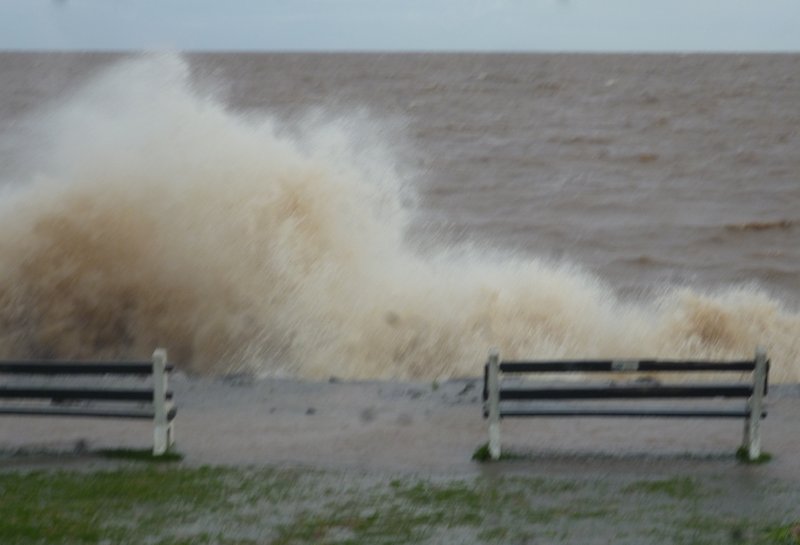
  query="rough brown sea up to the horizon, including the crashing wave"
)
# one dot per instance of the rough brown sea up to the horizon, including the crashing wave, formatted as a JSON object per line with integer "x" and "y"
{"x": 367, "y": 215}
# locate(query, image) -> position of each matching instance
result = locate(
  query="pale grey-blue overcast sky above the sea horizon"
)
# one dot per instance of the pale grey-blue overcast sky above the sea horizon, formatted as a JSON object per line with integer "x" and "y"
{"x": 488, "y": 25}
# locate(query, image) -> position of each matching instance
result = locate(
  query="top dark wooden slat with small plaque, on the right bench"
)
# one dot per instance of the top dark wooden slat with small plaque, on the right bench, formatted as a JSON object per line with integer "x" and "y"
{"x": 605, "y": 366}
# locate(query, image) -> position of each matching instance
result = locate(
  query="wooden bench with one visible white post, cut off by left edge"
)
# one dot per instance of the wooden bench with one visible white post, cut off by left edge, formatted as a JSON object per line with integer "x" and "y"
{"x": 92, "y": 389}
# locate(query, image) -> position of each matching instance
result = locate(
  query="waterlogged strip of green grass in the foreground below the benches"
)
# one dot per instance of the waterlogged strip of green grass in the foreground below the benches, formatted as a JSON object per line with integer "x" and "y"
{"x": 173, "y": 504}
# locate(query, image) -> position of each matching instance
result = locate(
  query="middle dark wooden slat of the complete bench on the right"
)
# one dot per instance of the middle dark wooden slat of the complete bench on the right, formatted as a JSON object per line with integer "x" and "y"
{"x": 636, "y": 391}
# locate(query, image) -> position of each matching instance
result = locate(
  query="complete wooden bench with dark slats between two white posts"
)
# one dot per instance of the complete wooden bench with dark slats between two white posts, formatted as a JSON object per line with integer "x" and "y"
{"x": 506, "y": 395}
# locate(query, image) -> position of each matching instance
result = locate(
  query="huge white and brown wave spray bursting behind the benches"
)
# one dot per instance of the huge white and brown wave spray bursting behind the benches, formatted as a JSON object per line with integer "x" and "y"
{"x": 157, "y": 217}
